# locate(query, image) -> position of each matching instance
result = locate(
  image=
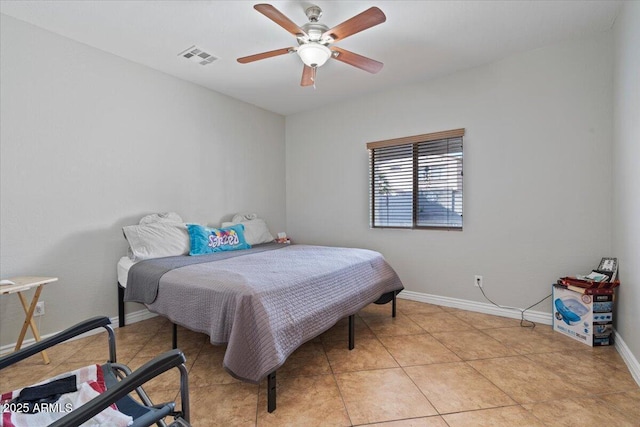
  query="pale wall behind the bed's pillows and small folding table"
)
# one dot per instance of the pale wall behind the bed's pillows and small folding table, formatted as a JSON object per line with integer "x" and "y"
{"x": 91, "y": 142}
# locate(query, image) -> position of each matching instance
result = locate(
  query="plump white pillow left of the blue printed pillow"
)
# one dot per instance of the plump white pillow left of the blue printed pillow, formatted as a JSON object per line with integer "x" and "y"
{"x": 157, "y": 240}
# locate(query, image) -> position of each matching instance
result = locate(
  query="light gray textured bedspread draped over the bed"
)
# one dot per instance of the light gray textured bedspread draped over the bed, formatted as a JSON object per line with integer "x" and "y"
{"x": 265, "y": 305}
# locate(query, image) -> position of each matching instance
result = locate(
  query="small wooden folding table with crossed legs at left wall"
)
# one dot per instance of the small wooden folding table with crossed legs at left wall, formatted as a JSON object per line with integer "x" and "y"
{"x": 21, "y": 284}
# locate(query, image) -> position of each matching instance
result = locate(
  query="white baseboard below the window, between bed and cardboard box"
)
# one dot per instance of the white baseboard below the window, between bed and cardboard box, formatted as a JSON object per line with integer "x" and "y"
{"x": 480, "y": 307}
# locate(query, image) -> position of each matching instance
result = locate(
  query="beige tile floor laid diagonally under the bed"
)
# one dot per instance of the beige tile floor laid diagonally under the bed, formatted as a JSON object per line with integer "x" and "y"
{"x": 430, "y": 366}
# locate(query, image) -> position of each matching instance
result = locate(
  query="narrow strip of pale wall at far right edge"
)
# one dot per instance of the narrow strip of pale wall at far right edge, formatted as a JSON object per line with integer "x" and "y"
{"x": 626, "y": 172}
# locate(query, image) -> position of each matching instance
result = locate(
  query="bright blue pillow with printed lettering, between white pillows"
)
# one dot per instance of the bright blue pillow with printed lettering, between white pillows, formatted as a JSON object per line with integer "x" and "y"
{"x": 208, "y": 240}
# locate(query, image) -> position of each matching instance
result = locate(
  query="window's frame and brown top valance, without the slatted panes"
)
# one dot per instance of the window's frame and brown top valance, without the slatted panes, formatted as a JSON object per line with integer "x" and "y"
{"x": 414, "y": 141}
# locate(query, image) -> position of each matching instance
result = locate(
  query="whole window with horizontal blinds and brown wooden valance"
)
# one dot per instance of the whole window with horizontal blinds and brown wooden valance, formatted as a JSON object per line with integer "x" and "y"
{"x": 416, "y": 182}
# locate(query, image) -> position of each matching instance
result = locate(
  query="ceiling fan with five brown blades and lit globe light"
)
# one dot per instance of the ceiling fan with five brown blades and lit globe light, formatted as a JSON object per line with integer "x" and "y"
{"x": 315, "y": 40}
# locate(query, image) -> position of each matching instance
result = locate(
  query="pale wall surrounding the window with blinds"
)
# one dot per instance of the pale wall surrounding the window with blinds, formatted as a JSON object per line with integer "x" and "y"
{"x": 537, "y": 173}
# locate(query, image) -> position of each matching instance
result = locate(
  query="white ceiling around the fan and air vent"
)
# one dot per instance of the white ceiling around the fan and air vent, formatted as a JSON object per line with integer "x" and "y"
{"x": 419, "y": 41}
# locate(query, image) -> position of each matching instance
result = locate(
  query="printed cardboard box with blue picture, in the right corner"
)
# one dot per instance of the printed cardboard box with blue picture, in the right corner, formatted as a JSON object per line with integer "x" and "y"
{"x": 583, "y": 317}
